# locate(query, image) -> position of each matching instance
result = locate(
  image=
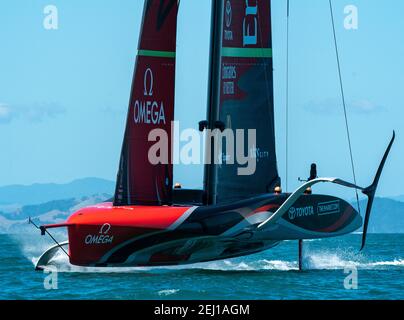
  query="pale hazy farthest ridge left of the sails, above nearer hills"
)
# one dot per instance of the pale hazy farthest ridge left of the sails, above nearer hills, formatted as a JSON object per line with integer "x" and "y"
{"x": 41, "y": 193}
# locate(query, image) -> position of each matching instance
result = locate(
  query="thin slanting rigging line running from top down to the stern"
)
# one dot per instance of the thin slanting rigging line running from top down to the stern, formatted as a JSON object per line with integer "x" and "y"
{"x": 344, "y": 103}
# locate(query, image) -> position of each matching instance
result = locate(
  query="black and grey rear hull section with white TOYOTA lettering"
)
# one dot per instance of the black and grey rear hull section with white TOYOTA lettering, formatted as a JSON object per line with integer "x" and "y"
{"x": 227, "y": 231}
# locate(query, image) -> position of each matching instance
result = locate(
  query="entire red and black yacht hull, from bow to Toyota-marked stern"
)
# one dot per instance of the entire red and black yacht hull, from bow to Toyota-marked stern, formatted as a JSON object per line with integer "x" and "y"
{"x": 105, "y": 235}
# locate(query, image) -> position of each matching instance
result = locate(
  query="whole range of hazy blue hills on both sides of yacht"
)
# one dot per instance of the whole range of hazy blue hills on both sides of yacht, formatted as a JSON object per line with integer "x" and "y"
{"x": 50, "y": 203}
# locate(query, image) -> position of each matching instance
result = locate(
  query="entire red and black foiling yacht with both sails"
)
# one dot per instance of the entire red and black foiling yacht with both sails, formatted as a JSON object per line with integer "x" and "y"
{"x": 152, "y": 223}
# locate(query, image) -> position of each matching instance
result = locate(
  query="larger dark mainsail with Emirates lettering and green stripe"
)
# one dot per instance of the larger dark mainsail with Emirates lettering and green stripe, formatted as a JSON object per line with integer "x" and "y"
{"x": 246, "y": 96}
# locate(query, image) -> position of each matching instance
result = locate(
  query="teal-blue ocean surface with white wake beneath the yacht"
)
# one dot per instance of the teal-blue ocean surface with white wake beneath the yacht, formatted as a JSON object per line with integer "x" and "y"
{"x": 269, "y": 275}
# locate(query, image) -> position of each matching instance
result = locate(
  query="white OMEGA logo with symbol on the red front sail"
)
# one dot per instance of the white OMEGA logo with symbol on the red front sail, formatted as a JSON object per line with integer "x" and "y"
{"x": 148, "y": 110}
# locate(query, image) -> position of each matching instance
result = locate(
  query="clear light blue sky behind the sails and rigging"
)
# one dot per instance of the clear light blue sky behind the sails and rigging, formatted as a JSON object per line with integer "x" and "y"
{"x": 64, "y": 93}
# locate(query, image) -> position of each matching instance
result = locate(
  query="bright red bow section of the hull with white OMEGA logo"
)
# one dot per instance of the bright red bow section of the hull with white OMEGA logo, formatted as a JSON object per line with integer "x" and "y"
{"x": 95, "y": 231}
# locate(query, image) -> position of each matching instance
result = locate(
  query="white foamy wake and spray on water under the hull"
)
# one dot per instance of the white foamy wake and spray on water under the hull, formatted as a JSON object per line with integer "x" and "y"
{"x": 314, "y": 259}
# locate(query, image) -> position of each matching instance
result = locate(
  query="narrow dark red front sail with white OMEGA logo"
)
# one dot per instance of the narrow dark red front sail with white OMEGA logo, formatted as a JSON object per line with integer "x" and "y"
{"x": 151, "y": 107}
